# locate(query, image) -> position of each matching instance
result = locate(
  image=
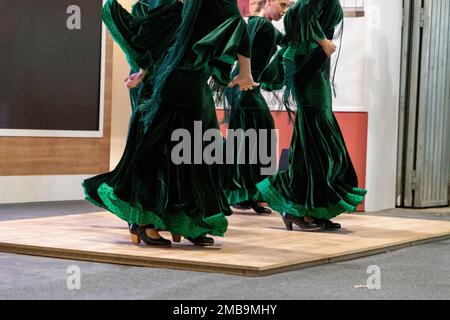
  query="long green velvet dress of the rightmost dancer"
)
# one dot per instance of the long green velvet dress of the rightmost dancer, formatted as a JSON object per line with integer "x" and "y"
{"x": 321, "y": 181}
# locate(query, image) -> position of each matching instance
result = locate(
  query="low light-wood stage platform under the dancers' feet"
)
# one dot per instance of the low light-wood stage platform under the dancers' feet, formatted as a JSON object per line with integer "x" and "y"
{"x": 253, "y": 246}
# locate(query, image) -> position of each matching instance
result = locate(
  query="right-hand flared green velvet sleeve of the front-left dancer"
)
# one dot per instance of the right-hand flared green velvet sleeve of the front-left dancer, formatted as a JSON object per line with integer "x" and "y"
{"x": 218, "y": 50}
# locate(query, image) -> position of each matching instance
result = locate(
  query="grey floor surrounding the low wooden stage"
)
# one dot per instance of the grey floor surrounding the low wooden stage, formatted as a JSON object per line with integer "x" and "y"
{"x": 420, "y": 272}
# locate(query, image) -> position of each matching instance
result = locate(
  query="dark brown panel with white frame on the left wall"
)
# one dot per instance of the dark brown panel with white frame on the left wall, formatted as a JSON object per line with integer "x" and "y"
{"x": 49, "y": 74}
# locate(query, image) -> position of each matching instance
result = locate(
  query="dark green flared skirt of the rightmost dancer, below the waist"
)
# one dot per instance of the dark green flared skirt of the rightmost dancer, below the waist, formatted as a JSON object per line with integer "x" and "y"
{"x": 321, "y": 181}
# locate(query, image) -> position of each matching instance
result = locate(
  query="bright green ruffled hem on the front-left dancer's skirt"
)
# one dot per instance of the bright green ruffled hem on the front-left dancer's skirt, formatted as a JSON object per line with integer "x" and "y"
{"x": 176, "y": 223}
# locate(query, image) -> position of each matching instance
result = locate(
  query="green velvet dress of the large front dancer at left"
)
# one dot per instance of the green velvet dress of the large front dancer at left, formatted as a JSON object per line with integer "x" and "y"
{"x": 147, "y": 187}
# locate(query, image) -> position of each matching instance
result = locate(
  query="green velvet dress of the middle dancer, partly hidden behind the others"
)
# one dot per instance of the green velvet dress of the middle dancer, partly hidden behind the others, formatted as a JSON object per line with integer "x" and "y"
{"x": 249, "y": 110}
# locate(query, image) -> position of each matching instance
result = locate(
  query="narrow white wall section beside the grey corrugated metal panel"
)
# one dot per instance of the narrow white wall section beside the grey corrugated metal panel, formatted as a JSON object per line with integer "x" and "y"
{"x": 382, "y": 87}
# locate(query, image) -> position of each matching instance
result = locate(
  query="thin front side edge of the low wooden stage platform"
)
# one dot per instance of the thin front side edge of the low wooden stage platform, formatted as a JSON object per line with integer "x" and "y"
{"x": 153, "y": 262}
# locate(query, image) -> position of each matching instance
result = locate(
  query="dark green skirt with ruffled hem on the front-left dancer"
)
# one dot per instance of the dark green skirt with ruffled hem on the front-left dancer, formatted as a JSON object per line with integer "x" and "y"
{"x": 147, "y": 187}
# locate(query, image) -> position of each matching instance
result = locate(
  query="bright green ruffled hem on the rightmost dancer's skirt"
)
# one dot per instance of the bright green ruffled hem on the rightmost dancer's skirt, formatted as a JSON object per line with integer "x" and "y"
{"x": 349, "y": 203}
